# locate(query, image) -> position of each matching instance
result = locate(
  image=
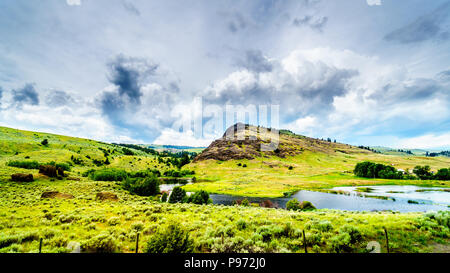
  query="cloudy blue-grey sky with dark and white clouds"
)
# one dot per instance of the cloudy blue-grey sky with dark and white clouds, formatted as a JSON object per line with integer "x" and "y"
{"x": 363, "y": 72}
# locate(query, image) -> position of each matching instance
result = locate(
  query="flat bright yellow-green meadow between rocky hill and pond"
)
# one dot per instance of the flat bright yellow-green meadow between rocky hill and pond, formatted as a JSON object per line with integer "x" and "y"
{"x": 273, "y": 177}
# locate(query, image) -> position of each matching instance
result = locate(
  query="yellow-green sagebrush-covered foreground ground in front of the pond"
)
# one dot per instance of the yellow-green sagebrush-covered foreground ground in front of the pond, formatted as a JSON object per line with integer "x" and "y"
{"x": 113, "y": 226}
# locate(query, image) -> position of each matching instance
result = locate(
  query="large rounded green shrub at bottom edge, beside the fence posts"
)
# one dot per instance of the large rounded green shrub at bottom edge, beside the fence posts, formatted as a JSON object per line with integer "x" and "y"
{"x": 173, "y": 239}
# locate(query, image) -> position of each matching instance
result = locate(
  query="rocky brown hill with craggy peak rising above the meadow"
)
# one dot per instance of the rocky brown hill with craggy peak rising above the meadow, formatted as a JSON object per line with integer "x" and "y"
{"x": 247, "y": 142}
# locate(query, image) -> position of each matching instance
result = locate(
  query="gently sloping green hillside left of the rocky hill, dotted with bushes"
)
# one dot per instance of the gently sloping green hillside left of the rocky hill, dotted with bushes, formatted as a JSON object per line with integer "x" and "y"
{"x": 26, "y": 146}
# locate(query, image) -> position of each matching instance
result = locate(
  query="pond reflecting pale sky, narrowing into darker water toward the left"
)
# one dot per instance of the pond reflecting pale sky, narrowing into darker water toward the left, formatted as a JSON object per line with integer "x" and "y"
{"x": 403, "y": 199}
